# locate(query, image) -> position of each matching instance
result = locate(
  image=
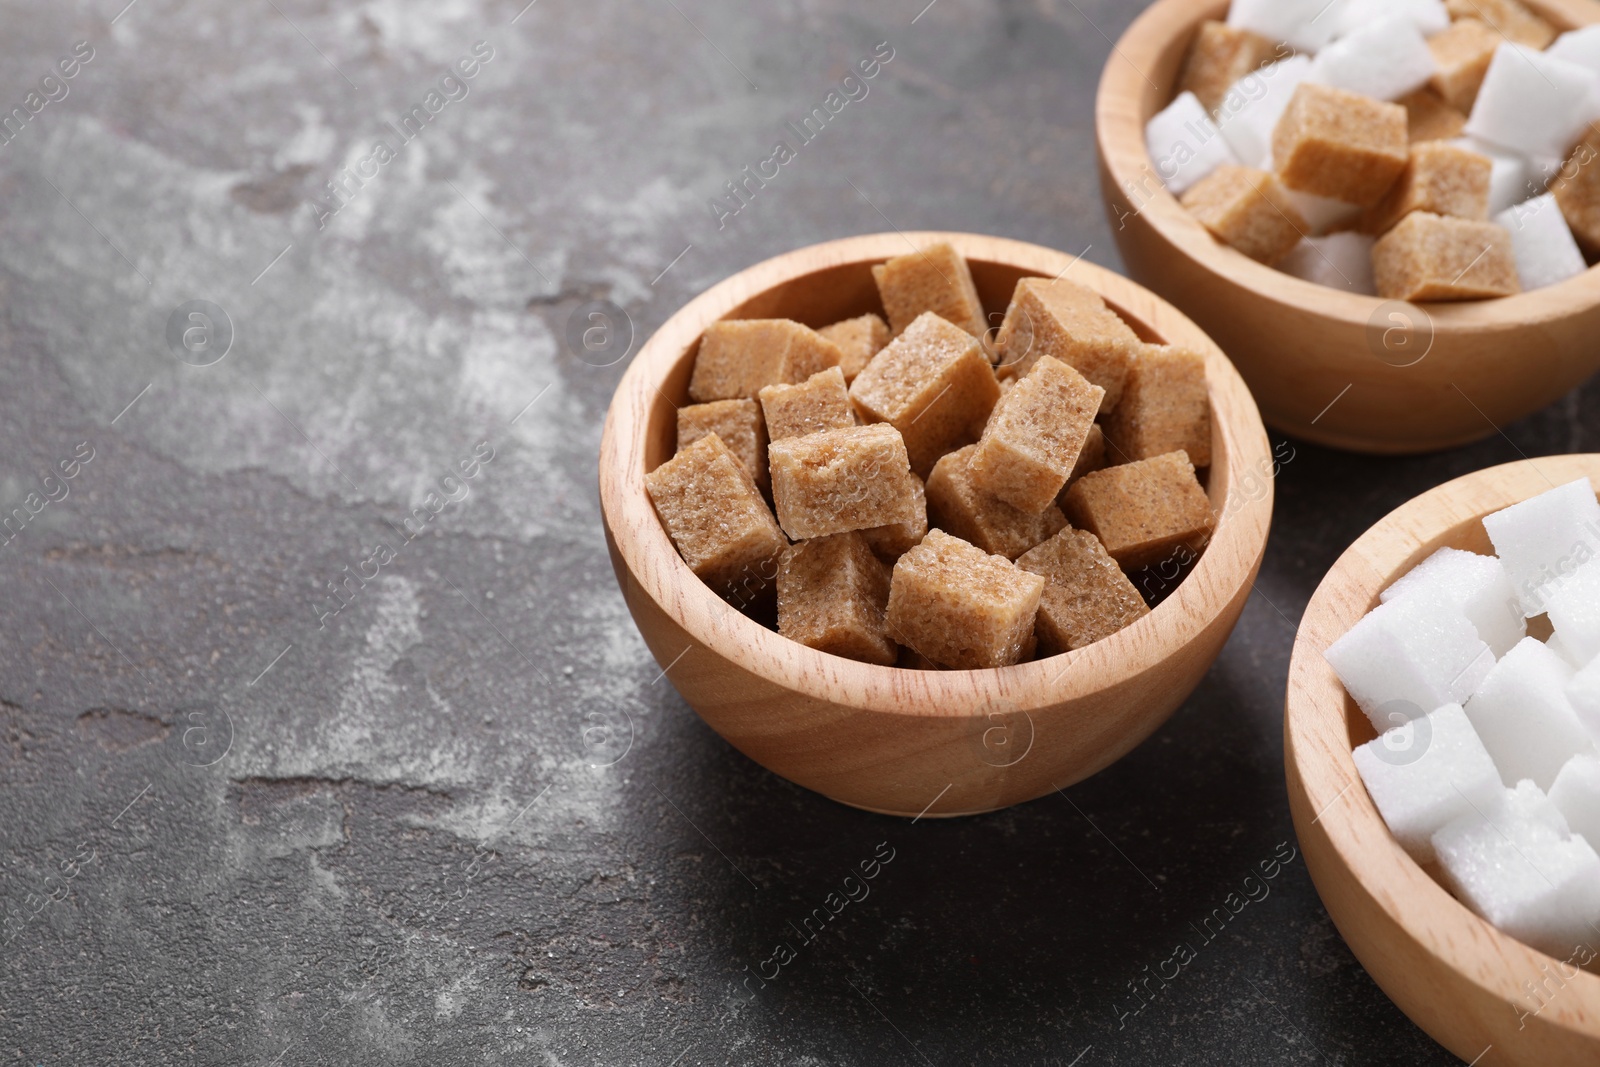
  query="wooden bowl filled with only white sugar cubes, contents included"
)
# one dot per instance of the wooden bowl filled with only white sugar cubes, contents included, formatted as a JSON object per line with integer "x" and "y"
{"x": 1442, "y": 743}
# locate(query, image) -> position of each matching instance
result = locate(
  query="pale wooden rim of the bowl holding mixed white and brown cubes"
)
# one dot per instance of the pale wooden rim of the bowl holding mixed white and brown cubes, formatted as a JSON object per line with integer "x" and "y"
{"x": 1119, "y": 130}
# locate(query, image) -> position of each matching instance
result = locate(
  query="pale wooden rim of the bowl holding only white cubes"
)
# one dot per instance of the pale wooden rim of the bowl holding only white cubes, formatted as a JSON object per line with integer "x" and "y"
{"x": 1318, "y": 717}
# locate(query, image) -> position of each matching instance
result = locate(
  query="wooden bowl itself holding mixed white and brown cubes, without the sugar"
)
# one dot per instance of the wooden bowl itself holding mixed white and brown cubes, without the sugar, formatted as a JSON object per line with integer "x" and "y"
{"x": 1327, "y": 366}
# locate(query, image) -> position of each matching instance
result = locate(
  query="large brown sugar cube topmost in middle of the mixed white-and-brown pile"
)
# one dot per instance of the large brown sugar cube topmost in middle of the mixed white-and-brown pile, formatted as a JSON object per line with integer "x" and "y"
{"x": 1342, "y": 145}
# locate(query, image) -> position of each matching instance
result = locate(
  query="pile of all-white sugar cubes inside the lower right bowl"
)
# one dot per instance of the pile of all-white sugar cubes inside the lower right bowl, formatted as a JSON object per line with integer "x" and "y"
{"x": 1487, "y": 754}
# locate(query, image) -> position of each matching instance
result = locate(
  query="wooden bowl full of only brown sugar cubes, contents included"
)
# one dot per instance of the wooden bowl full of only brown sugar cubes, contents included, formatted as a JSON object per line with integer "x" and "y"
{"x": 934, "y": 524}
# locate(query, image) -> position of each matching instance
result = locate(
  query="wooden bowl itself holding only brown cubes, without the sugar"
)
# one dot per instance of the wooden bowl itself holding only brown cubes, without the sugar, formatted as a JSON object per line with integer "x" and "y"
{"x": 913, "y": 741}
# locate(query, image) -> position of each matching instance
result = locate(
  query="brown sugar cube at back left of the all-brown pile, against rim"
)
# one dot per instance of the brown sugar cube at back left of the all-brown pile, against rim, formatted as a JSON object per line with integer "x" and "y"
{"x": 740, "y": 358}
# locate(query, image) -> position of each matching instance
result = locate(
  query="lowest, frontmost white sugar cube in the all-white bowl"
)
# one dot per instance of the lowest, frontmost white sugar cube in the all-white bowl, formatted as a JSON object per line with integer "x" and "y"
{"x": 1526, "y": 877}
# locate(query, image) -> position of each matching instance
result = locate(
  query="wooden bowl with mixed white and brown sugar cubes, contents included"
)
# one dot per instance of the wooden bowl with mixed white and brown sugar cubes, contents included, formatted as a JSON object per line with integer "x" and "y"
{"x": 1383, "y": 210}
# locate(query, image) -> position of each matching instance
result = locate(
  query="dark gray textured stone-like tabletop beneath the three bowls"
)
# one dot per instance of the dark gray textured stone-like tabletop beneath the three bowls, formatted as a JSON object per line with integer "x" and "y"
{"x": 271, "y": 794}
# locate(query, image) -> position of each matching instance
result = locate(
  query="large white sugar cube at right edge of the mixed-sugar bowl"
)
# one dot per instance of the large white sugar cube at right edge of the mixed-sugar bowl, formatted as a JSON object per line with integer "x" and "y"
{"x": 1532, "y": 103}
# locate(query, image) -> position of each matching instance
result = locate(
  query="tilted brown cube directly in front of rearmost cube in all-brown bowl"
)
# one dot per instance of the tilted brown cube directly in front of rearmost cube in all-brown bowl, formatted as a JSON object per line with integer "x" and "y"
{"x": 934, "y": 385}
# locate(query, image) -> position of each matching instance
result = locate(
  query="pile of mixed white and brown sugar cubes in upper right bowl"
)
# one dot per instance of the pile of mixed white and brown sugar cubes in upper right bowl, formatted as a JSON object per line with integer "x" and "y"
{"x": 1410, "y": 150}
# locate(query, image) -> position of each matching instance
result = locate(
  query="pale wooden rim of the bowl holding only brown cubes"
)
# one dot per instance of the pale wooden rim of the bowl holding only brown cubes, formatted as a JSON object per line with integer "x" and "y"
{"x": 1228, "y": 564}
